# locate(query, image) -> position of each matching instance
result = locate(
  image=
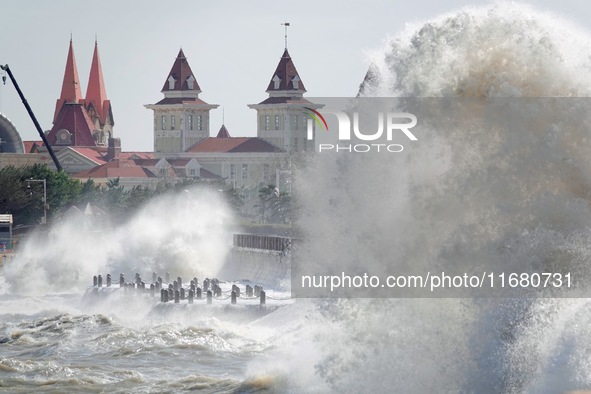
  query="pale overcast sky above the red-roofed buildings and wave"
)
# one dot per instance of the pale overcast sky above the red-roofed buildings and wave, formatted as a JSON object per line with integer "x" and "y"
{"x": 232, "y": 46}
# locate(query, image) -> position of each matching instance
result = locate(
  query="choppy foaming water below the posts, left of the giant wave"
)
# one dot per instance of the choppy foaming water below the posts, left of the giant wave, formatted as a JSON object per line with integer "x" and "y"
{"x": 65, "y": 343}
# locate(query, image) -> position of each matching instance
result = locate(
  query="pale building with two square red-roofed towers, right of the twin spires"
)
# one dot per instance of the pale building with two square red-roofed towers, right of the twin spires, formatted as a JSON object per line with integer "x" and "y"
{"x": 244, "y": 161}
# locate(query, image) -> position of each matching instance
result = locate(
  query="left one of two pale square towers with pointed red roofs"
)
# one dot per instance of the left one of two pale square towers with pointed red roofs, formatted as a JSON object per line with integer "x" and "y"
{"x": 181, "y": 118}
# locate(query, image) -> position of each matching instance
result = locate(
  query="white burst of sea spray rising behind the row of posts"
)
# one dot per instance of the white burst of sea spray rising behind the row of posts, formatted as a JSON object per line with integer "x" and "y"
{"x": 187, "y": 234}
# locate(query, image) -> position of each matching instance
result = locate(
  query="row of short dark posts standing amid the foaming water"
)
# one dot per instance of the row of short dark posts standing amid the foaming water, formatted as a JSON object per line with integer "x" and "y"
{"x": 177, "y": 292}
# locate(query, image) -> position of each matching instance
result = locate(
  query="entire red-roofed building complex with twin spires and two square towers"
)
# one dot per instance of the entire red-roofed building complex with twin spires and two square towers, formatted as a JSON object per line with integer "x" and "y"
{"x": 82, "y": 132}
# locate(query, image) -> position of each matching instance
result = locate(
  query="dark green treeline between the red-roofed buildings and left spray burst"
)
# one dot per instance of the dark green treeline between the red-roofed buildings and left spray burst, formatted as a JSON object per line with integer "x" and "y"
{"x": 21, "y": 194}
